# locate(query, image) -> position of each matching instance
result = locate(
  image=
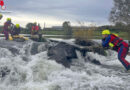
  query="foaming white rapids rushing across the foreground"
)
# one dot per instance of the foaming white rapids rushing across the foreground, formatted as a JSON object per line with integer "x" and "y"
{"x": 37, "y": 72}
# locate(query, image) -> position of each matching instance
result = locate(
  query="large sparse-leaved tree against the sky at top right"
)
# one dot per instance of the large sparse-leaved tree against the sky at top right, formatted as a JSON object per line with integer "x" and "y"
{"x": 120, "y": 12}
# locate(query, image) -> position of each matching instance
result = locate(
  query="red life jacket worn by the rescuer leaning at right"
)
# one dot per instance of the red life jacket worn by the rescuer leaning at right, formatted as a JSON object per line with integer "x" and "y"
{"x": 115, "y": 41}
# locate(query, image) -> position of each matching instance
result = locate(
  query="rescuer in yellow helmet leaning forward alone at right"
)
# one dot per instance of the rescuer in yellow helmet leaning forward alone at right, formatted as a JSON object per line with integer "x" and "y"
{"x": 117, "y": 44}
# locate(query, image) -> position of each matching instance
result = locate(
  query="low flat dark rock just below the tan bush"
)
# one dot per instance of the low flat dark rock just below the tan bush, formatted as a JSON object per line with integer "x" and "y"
{"x": 84, "y": 42}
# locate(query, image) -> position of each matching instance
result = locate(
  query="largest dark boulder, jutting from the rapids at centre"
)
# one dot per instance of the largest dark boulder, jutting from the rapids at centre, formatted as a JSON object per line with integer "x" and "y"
{"x": 62, "y": 53}
